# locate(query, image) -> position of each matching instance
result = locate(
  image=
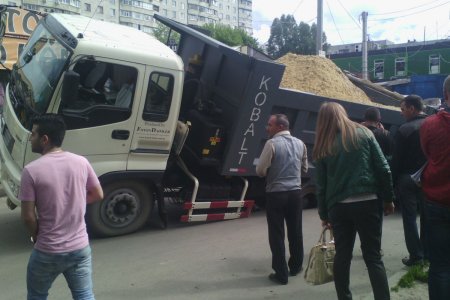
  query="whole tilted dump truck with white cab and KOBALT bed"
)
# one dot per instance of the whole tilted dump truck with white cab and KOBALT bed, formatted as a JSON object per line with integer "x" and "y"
{"x": 151, "y": 129}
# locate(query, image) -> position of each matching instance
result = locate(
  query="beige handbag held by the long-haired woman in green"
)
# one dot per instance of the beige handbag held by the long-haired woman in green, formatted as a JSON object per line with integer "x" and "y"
{"x": 321, "y": 259}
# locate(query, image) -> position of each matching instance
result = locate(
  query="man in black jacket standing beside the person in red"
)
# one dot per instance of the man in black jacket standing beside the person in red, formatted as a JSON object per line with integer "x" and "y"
{"x": 407, "y": 159}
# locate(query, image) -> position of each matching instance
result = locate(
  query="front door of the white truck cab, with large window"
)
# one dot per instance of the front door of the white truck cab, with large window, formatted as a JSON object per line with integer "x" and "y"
{"x": 101, "y": 119}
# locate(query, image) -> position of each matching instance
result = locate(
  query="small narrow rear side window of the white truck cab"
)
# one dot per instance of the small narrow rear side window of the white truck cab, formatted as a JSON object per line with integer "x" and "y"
{"x": 159, "y": 97}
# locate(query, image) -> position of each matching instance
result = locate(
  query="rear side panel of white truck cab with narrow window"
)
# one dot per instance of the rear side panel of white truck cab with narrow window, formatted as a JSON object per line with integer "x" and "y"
{"x": 156, "y": 120}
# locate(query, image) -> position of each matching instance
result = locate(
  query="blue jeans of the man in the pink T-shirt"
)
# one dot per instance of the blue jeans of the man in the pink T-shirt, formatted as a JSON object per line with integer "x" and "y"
{"x": 43, "y": 268}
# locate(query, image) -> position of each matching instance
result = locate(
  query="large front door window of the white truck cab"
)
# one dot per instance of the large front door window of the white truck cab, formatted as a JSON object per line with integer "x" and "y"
{"x": 105, "y": 94}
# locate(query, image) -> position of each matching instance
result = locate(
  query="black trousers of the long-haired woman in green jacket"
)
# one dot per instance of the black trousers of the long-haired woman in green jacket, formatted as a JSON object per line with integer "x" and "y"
{"x": 363, "y": 218}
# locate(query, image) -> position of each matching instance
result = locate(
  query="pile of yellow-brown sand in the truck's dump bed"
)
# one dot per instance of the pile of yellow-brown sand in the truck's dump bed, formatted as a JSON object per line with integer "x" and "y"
{"x": 320, "y": 76}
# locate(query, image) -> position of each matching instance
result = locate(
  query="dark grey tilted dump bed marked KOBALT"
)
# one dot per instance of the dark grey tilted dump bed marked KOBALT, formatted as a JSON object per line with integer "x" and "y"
{"x": 243, "y": 92}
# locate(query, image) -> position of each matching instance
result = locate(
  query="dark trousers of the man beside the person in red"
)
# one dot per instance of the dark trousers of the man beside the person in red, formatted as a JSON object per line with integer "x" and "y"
{"x": 411, "y": 198}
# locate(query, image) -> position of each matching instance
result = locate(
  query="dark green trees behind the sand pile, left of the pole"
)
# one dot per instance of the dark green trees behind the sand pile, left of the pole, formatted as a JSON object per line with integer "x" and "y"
{"x": 288, "y": 36}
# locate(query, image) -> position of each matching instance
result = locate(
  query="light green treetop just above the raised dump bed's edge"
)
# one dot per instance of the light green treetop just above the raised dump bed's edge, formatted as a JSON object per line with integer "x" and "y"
{"x": 231, "y": 36}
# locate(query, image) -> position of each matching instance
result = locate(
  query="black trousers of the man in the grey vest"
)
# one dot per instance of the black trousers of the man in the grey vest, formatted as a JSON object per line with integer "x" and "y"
{"x": 281, "y": 207}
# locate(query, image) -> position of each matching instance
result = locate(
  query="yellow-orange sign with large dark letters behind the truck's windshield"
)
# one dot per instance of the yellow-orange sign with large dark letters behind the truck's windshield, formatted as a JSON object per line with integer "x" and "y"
{"x": 20, "y": 23}
